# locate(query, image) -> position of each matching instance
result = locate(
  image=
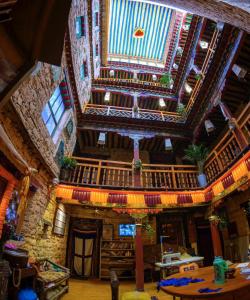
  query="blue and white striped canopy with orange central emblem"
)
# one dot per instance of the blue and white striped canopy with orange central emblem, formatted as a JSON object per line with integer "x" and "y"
{"x": 138, "y": 32}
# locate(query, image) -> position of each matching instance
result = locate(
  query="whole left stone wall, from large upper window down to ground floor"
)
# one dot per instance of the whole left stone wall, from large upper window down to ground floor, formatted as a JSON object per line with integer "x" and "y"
{"x": 22, "y": 121}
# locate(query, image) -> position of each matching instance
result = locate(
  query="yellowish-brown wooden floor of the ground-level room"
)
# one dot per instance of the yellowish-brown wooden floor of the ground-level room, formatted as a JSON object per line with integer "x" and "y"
{"x": 100, "y": 290}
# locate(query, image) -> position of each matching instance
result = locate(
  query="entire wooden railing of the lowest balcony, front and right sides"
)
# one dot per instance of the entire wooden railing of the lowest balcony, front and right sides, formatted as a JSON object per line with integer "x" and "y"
{"x": 117, "y": 174}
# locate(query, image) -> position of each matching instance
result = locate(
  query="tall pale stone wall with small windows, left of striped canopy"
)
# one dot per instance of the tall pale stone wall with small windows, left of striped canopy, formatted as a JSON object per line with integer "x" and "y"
{"x": 80, "y": 49}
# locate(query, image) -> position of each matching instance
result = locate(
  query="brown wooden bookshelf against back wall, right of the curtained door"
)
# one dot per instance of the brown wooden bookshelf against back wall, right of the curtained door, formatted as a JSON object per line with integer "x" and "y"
{"x": 118, "y": 255}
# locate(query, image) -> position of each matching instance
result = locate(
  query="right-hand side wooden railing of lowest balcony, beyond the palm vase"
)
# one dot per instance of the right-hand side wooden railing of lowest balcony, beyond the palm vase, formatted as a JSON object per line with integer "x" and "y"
{"x": 229, "y": 147}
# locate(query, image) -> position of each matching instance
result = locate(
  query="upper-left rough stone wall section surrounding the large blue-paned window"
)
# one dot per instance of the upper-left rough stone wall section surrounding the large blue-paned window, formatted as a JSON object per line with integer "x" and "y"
{"x": 29, "y": 100}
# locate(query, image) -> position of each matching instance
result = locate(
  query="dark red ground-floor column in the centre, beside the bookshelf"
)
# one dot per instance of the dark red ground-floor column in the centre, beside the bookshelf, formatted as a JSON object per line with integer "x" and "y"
{"x": 139, "y": 259}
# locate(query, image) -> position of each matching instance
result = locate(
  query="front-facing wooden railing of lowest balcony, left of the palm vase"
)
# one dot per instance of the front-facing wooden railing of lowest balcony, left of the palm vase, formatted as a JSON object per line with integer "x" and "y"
{"x": 106, "y": 173}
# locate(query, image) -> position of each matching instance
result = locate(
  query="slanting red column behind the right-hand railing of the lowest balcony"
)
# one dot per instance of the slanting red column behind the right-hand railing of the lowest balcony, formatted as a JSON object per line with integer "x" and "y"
{"x": 234, "y": 125}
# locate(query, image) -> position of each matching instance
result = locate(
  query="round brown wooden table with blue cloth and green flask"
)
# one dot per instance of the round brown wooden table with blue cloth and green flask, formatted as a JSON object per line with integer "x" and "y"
{"x": 237, "y": 288}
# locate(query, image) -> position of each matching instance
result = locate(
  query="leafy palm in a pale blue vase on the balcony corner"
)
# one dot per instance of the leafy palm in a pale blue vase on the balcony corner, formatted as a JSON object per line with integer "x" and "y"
{"x": 197, "y": 154}
